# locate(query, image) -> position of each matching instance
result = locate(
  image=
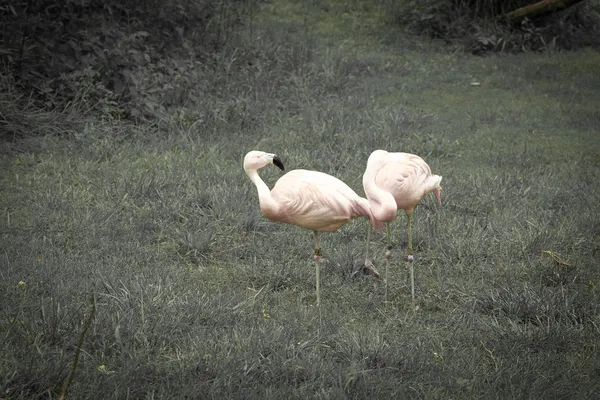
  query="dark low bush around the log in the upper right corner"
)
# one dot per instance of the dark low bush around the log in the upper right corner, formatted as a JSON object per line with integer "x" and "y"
{"x": 478, "y": 26}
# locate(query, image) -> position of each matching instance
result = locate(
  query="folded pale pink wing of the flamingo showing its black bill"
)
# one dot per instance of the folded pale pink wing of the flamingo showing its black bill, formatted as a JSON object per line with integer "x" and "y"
{"x": 317, "y": 201}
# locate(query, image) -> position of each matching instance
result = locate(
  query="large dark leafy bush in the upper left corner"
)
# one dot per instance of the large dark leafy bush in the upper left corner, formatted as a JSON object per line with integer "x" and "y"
{"x": 122, "y": 57}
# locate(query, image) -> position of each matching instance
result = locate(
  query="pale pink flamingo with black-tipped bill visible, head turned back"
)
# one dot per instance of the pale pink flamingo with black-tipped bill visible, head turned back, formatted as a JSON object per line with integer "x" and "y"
{"x": 309, "y": 199}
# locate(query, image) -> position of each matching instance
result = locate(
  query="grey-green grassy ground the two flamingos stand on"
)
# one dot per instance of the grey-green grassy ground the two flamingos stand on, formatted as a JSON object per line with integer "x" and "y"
{"x": 197, "y": 295}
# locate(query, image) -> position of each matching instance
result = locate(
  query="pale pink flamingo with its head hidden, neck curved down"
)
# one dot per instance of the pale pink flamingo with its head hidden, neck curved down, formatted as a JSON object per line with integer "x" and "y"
{"x": 394, "y": 181}
